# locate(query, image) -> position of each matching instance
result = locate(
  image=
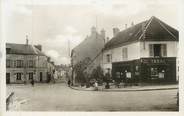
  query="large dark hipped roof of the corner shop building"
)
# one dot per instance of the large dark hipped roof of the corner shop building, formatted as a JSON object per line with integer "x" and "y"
{"x": 154, "y": 29}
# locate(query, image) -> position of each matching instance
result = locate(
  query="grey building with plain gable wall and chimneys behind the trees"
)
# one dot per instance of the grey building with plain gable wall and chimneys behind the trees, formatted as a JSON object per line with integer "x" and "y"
{"x": 87, "y": 52}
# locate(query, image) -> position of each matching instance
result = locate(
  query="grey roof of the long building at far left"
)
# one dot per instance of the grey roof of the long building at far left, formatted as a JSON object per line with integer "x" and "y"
{"x": 23, "y": 49}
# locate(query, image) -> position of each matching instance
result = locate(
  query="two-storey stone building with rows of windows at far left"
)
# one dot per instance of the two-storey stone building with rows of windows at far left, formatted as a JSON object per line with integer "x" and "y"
{"x": 25, "y": 62}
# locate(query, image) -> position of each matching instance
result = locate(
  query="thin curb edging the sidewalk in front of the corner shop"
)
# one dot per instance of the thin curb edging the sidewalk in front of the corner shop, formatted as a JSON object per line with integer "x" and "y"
{"x": 126, "y": 90}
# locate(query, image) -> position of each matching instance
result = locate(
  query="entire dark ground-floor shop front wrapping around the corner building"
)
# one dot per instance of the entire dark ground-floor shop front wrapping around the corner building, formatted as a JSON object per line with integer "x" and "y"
{"x": 151, "y": 70}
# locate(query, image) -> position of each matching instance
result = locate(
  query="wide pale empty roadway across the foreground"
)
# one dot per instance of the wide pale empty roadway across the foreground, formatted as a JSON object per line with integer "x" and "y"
{"x": 59, "y": 97}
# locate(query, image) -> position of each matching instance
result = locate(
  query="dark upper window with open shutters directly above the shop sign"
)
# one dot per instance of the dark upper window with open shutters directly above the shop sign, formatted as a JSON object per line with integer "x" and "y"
{"x": 158, "y": 50}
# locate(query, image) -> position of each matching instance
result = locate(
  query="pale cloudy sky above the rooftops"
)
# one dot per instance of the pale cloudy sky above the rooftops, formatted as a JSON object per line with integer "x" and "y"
{"x": 58, "y": 24}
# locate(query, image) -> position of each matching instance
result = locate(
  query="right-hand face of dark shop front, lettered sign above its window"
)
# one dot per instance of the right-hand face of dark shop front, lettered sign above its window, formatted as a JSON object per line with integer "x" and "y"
{"x": 158, "y": 69}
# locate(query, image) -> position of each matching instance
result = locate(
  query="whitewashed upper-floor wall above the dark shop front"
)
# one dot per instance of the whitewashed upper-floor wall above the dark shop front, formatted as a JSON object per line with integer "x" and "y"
{"x": 136, "y": 51}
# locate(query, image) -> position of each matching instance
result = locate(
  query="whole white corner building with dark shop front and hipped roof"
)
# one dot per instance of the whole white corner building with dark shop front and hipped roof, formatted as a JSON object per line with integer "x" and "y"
{"x": 145, "y": 52}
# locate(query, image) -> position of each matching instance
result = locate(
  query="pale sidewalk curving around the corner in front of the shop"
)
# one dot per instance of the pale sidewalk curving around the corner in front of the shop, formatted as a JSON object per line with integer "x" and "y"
{"x": 129, "y": 88}
